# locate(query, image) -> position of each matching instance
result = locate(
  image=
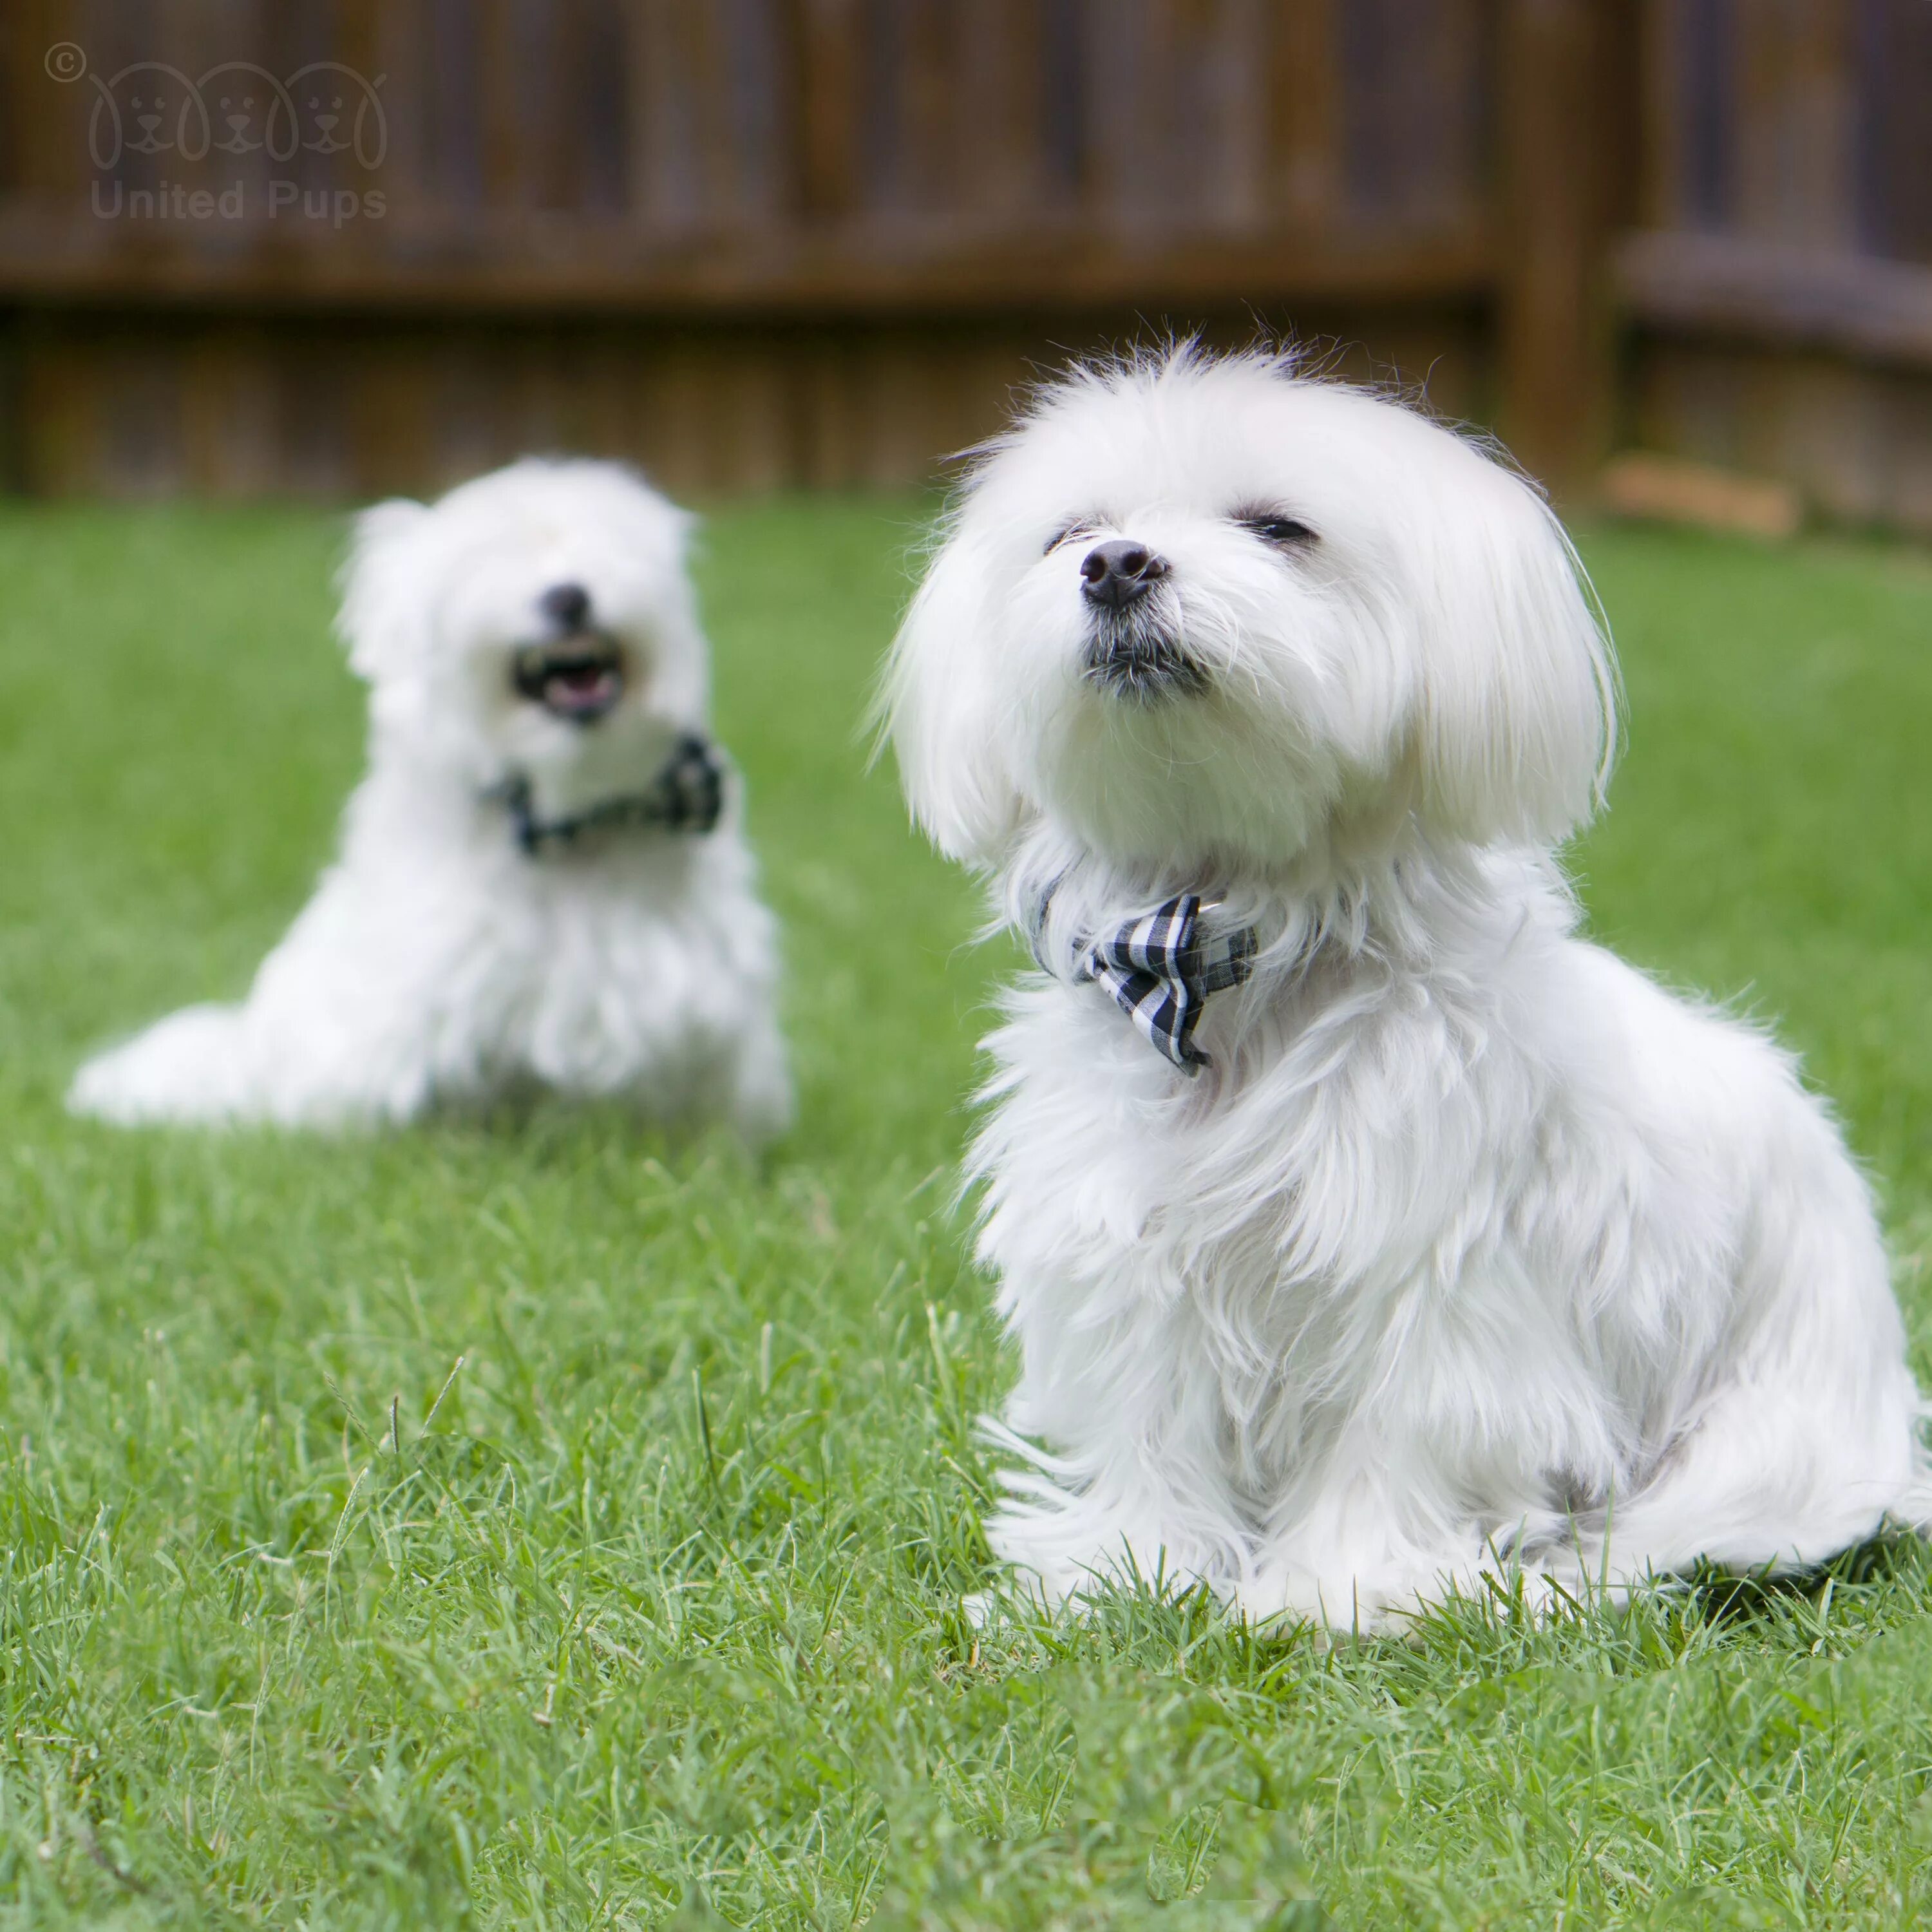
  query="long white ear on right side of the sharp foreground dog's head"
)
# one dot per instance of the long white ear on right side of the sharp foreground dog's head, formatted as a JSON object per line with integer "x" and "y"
{"x": 1520, "y": 687}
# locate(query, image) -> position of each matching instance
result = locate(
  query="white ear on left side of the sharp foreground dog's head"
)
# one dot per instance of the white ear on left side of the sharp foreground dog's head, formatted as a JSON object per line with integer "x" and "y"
{"x": 940, "y": 704}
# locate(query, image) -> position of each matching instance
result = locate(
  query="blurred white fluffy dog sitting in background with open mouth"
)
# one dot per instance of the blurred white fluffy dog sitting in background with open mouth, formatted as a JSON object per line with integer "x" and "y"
{"x": 542, "y": 880}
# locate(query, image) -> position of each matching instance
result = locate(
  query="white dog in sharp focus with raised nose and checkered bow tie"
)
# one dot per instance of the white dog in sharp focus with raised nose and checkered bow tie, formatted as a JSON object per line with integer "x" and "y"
{"x": 1361, "y": 1226}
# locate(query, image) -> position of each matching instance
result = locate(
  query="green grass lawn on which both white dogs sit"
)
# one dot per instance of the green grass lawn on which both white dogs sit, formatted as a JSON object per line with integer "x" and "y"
{"x": 544, "y": 1525}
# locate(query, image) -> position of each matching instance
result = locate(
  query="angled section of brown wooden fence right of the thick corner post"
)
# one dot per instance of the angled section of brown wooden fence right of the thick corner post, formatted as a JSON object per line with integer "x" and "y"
{"x": 1778, "y": 295}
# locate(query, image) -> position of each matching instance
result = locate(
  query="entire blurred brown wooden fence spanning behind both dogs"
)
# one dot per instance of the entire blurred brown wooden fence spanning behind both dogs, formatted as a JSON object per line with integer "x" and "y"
{"x": 768, "y": 242}
